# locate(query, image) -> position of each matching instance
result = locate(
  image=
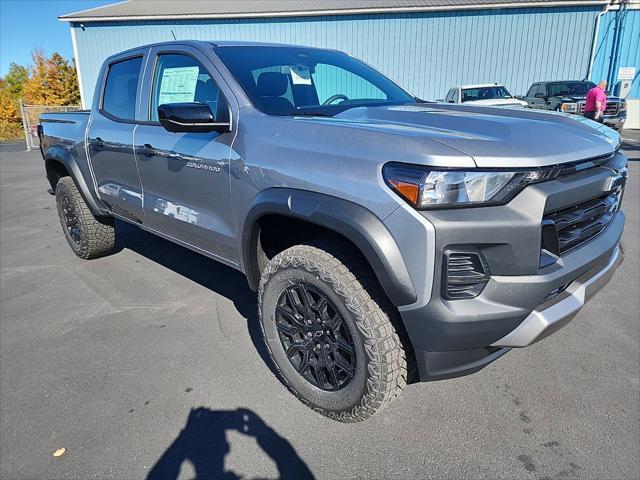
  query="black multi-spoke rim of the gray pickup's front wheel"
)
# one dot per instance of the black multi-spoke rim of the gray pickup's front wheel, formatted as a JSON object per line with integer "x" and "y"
{"x": 315, "y": 338}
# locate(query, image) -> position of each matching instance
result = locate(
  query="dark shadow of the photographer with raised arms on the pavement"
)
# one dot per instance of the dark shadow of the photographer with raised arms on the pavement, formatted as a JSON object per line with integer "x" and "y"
{"x": 203, "y": 442}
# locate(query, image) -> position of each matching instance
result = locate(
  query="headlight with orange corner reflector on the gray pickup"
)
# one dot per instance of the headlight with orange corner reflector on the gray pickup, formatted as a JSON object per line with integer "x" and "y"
{"x": 444, "y": 188}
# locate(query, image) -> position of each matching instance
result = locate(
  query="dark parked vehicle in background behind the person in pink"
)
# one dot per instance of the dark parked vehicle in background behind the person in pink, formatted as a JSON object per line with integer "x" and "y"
{"x": 568, "y": 96}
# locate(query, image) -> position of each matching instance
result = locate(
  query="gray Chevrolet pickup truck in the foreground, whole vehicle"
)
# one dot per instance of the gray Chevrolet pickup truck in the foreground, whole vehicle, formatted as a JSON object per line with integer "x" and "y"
{"x": 388, "y": 239}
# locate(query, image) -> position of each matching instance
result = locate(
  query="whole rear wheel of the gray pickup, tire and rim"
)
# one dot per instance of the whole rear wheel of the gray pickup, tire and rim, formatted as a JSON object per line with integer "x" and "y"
{"x": 88, "y": 236}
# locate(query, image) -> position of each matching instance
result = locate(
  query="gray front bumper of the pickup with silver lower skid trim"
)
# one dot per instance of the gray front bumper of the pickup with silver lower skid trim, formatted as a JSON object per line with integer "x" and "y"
{"x": 455, "y": 337}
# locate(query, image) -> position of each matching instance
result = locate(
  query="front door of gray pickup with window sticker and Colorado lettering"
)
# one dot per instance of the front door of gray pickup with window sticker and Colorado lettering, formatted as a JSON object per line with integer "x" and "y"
{"x": 186, "y": 175}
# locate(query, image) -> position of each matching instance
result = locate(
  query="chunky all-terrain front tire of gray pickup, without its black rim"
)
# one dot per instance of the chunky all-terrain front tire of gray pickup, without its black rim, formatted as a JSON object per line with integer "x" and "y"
{"x": 343, "y": 267}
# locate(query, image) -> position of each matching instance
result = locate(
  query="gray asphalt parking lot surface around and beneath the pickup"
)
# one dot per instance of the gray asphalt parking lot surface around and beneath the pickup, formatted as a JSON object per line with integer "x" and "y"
{"x": 149, "y": 363}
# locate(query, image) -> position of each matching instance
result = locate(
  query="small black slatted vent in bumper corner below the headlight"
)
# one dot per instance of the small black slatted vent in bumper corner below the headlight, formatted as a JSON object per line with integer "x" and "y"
{"x": 466, "y": 274}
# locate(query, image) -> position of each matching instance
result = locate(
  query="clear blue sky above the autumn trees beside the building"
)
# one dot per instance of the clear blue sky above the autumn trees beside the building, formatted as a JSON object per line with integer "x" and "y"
{"x": 29, "y": 24}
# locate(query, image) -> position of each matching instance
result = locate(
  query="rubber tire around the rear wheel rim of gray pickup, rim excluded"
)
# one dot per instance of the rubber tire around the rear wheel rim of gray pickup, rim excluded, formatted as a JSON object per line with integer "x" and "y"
{"x": 98, "y": 235}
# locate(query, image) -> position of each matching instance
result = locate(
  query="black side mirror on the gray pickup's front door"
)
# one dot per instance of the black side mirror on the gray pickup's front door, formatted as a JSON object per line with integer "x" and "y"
{"x": 193, "y": 117}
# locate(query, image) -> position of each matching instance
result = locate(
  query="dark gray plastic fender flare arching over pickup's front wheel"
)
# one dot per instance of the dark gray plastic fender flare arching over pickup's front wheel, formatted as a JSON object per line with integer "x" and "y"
{"x": 352, "y": 221}
